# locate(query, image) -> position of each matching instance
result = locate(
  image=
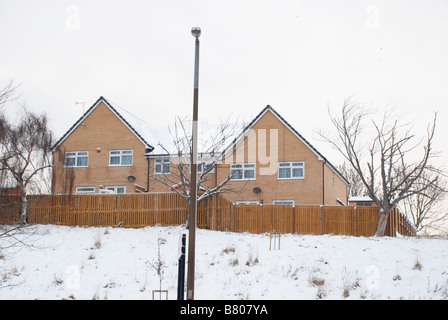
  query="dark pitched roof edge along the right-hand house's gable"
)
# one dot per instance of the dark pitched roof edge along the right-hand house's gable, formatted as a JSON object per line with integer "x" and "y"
{"x": 294, "y": 131}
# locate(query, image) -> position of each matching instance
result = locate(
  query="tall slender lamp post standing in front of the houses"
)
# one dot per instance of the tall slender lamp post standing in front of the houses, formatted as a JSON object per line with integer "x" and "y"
{"x": 196, "y": 32}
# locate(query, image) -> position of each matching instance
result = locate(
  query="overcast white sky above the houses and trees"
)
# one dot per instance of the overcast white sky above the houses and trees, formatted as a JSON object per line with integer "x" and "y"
{"x": 297, "y": 56}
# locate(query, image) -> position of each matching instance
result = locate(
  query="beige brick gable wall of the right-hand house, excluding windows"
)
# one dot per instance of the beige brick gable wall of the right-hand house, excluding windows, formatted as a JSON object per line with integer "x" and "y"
{"x": 289, "y": 148}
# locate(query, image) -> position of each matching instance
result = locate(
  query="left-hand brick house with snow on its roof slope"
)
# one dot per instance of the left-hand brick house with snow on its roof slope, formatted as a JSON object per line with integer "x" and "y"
{"x": 104, "y": 150}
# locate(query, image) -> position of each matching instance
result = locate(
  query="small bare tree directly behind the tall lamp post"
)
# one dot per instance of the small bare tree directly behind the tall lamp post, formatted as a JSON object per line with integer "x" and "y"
{"x": 176, "y": 175}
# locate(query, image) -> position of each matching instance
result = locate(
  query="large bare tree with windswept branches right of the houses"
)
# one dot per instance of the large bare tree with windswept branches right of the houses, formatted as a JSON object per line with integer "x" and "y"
{"x": 382, "y": 157}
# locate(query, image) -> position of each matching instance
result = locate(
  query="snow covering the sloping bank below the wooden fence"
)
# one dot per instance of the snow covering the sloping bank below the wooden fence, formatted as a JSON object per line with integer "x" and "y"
{"x": 57, "y": 262}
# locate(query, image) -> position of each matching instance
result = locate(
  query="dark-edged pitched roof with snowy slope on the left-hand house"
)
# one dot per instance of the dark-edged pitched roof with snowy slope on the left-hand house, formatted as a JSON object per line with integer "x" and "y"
{"x": 138, "y": 127}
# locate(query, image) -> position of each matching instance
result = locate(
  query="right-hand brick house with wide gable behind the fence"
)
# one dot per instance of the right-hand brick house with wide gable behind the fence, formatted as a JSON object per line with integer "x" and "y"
{"x": 278, "y": 165}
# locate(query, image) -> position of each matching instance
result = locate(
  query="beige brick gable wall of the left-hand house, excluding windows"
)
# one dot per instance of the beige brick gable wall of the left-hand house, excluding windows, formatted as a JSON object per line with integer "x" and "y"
{"x": 102, "y": 129}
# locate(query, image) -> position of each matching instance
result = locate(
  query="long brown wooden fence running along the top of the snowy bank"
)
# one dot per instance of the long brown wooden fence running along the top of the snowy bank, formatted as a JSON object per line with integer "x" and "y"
{"x": 217, "y": 213}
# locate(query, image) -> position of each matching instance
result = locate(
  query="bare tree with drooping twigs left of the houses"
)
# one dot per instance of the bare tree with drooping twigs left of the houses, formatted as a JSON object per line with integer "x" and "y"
{"x": 26, "y": 154}
